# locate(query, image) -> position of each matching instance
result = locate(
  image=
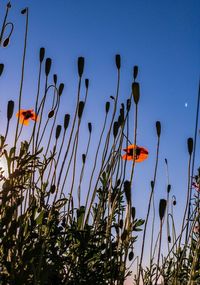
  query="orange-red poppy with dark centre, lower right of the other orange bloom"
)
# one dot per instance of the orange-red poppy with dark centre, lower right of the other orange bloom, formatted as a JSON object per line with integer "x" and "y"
{"x": 134, "y": 152}
